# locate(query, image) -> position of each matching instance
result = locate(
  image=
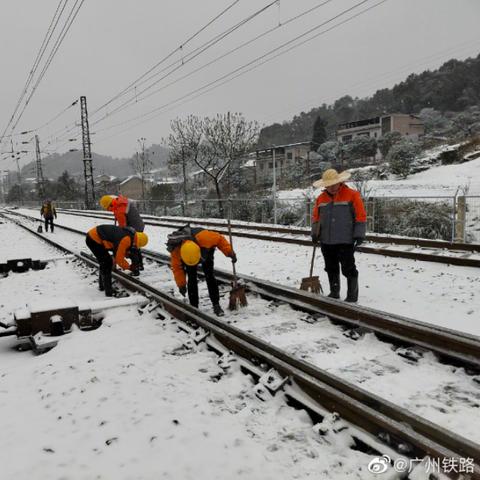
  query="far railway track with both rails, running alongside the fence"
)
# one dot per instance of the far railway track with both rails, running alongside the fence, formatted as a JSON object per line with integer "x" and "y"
{"x": 460, "y": 254}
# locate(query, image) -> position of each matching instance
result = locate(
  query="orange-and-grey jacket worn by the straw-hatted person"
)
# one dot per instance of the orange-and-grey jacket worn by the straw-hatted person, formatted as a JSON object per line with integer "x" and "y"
{"x": 340, "y": 217}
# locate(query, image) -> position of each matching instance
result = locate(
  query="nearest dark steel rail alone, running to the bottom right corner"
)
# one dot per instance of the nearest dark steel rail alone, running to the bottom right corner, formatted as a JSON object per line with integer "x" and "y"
{"x": 362, "y": 409}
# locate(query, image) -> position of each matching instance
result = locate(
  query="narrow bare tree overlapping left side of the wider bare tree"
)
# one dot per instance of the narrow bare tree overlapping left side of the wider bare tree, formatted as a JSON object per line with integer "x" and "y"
{"x": 184, "y": 143}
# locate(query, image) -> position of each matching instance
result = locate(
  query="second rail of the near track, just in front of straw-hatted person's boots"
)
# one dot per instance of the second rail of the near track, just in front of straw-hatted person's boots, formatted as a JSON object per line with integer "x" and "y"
{"x": 455, "y": 346}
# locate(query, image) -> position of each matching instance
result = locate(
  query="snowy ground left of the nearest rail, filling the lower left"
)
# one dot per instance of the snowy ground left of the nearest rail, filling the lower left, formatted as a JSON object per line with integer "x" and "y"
{"x": 126, "y": 401}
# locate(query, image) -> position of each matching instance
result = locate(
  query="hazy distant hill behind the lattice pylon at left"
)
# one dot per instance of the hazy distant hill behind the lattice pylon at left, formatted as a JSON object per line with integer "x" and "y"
{"x": 54, "y": 165}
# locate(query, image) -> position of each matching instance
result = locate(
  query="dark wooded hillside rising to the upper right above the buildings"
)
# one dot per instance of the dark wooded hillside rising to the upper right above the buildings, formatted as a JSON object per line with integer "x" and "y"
{"x": 453, "y": 87}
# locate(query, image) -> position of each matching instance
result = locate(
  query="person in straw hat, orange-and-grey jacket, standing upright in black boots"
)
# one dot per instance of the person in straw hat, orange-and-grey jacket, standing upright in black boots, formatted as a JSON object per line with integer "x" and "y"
{"x": 338, "y": 226}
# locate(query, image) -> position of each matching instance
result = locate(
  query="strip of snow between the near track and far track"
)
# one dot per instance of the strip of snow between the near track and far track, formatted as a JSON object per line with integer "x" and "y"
{"x": 436, "y": 293}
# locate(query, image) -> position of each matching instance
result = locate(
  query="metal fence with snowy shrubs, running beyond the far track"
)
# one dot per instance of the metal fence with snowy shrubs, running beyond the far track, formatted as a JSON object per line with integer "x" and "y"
{"x": 454, "y": 218}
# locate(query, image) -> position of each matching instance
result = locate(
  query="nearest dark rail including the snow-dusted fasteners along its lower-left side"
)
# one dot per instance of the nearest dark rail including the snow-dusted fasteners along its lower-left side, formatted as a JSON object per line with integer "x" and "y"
{"x": 371, "y": 419}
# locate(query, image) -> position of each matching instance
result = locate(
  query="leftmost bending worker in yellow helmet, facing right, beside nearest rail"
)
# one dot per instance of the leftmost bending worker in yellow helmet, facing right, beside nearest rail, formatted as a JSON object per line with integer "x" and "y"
{"x": 122, "y": 242}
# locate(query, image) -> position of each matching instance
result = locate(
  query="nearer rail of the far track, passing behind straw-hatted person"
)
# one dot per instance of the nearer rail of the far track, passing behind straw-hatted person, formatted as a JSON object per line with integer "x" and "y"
{"x": 461, "y": 261}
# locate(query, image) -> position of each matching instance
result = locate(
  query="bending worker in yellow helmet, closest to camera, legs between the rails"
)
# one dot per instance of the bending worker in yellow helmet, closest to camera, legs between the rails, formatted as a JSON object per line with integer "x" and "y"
{"x": 188, "y": 248}
